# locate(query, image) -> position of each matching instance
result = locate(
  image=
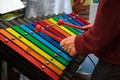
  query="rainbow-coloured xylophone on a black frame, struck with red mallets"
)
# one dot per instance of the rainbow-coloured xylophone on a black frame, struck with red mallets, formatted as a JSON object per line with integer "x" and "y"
{"x": 36, "y": 54}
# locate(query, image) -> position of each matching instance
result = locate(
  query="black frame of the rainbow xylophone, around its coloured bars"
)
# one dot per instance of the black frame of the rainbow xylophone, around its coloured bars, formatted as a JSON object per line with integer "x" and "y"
{"x": 33, "y": 74}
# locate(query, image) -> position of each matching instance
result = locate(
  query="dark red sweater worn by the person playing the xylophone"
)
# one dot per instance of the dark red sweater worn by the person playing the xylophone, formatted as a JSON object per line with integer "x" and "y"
{"x": 103, "y": 39}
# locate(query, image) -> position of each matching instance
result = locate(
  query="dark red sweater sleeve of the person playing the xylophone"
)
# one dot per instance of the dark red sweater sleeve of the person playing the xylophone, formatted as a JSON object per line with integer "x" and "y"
{"x": 104, "y": 30}
